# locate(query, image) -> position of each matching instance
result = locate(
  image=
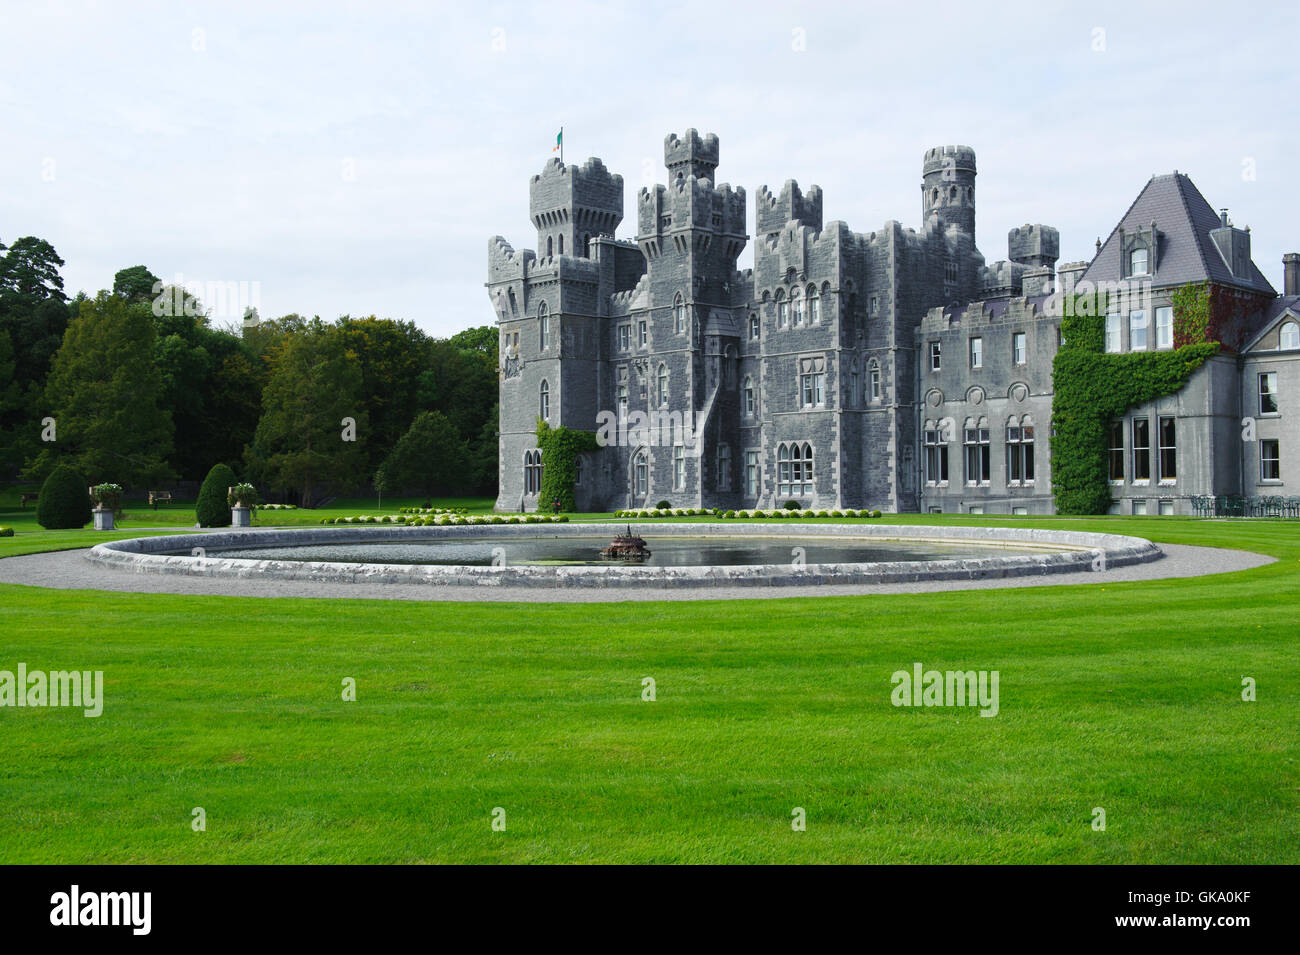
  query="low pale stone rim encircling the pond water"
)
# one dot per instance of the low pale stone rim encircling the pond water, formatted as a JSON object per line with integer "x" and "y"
{"x": 1074, "y": 552}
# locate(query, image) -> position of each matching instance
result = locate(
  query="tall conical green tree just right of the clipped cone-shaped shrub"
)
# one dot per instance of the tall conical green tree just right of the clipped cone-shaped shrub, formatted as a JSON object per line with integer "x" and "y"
{"x": 304, "y": 441}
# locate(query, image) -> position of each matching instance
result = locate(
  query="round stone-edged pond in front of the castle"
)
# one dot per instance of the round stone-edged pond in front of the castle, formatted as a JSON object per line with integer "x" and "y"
{"x": 682, "y": 554}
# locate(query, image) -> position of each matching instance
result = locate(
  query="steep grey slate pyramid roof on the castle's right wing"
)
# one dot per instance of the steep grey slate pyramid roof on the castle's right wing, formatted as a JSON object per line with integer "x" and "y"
{"x": 1188, "y": 253}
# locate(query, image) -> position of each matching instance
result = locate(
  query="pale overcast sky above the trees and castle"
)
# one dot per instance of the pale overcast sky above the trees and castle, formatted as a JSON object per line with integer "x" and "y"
{"x": 357, "y": 158}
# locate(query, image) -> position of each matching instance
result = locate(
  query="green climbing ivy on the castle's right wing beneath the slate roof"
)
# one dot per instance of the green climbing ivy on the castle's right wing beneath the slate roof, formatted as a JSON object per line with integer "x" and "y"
{"x": 1091, "y": 389}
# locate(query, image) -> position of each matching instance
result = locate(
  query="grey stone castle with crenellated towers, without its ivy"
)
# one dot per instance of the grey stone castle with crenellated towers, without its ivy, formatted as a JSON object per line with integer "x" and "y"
{"x": 891, "y": 370}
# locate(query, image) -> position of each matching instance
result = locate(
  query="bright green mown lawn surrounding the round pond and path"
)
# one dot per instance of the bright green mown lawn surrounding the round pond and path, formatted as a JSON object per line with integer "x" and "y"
{"x": 1116, "y": 696}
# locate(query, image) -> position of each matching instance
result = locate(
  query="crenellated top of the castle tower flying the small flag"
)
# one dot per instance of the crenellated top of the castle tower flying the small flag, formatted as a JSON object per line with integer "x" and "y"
{"x": 570, "y": 206}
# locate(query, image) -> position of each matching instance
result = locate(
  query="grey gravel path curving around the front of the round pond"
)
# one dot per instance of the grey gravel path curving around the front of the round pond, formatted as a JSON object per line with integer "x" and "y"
{"x": 71, "y": 571}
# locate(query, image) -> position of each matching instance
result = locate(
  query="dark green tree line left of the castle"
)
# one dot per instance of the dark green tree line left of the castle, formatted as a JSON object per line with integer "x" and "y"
{"x": 137, "y": 387}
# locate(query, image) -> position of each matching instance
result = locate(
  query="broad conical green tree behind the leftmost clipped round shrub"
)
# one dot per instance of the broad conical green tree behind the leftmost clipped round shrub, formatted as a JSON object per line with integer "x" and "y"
{"x": 103, "y": 394}
